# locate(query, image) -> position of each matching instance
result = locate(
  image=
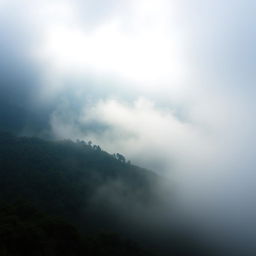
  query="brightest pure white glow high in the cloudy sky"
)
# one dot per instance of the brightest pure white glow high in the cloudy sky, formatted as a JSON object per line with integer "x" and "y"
{"x": 147, "y": 55}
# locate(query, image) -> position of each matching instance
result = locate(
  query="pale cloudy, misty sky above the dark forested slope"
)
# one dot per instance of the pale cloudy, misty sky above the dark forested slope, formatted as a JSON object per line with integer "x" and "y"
{"x": 169, "y": 84}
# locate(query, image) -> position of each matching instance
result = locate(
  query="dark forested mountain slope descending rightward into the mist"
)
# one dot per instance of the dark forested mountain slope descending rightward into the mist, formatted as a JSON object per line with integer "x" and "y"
{"x": 72, "y": 198}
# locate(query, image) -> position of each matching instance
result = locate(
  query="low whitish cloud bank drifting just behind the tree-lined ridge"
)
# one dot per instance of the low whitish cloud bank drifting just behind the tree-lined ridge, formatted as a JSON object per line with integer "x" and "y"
{"x": 198, "y": 156}
